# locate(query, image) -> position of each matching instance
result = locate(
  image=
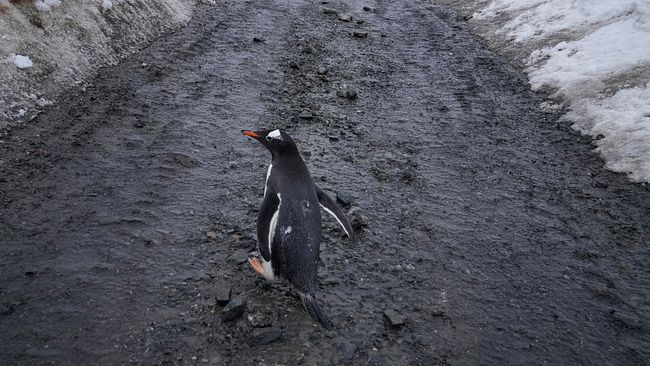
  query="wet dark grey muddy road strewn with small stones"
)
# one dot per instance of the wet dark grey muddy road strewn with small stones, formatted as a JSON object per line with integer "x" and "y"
{"x": 491, "y": 227}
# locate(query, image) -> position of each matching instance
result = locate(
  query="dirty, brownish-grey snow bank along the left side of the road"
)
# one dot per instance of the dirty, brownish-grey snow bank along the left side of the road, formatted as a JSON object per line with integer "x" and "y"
{"x": 48, "y": 46}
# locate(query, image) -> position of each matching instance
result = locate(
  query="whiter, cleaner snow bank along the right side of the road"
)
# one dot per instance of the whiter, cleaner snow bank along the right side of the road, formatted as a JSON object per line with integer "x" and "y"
{"x": 593, "y": 55}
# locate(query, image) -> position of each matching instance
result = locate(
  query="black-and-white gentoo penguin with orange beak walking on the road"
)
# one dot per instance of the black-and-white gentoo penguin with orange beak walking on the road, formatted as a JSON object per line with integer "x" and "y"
{"x": 289, "y": 221}
